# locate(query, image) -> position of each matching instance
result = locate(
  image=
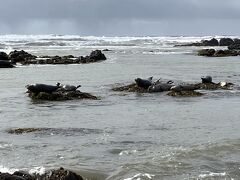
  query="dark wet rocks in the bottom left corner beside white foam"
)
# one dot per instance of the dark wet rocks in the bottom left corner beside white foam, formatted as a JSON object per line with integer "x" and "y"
{"x": 58, "y": 174}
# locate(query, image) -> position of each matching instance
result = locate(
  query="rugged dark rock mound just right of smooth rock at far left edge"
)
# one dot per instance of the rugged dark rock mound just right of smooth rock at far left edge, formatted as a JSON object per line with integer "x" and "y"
{"x": 21, "y": 56}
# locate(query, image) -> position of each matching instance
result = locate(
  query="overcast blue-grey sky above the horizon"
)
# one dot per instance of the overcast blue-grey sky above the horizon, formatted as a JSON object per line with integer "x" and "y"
{"x": 120, "y": 17}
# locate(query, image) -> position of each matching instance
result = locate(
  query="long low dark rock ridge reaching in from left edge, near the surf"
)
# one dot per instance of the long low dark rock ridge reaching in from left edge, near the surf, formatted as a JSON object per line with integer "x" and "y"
{"x": 26, "y": 58}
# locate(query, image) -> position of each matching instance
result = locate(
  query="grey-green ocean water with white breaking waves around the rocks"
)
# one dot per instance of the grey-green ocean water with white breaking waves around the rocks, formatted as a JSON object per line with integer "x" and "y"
{"x": 122, "y": 136}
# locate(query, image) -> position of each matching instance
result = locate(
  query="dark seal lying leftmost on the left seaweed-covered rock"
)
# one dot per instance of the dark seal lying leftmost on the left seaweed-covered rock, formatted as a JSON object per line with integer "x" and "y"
{"x": 37, "y": 88}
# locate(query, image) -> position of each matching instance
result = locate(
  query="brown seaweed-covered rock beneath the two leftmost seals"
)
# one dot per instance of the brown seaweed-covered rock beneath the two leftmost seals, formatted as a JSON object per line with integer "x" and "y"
{"x": 61, "y": 95}
